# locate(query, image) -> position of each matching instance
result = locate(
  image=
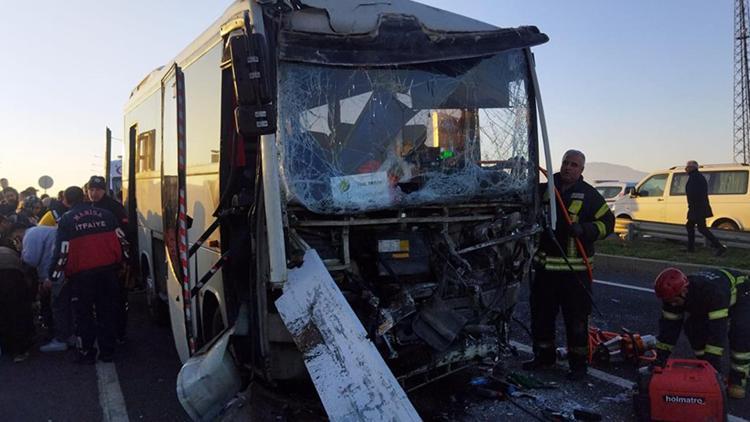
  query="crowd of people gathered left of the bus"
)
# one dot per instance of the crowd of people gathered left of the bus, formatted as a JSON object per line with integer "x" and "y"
{"x": 63, "y": 272}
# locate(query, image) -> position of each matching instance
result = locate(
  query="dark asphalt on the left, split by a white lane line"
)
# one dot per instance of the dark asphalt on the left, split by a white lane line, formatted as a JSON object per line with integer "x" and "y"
{"x": 50, "y": 387}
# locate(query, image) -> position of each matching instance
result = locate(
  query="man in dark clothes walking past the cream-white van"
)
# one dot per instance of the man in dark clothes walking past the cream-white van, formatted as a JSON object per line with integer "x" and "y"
{"x": 699, "y": 208}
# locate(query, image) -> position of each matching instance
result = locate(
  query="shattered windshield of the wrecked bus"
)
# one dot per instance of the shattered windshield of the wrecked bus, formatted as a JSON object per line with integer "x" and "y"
{"x": 363, "y": 139}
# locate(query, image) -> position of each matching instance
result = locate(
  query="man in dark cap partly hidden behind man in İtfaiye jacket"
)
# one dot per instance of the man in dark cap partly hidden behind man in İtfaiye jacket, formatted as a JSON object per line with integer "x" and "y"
{"x": 97, "y": 192}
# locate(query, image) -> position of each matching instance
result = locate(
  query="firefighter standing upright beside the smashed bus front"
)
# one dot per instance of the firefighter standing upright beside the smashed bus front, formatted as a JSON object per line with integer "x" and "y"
{"x": 557, "y": 284}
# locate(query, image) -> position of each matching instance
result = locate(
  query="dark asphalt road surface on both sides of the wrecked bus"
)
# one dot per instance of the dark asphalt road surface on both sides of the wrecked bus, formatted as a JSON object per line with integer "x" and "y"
{"x": 49, "y": 387}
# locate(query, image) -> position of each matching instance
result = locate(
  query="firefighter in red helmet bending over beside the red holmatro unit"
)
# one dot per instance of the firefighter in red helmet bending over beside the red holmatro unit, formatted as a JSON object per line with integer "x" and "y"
{"x": 712, "y": 305}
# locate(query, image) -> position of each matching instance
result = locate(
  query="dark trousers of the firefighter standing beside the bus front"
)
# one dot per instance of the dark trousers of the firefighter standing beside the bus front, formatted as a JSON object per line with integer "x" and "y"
{"x": 551, "y": 292}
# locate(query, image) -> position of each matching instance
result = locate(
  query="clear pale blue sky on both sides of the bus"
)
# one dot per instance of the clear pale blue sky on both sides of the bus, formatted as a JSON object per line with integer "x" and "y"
{"x": 641, "y": 83}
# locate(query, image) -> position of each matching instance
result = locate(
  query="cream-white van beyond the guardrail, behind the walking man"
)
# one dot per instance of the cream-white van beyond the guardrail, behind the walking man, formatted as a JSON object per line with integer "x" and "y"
{"x": 660, "y": 197}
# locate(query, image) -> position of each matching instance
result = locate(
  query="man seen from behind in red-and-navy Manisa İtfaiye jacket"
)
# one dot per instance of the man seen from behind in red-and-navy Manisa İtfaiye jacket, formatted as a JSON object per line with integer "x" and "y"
{"x": 89, "y": 250}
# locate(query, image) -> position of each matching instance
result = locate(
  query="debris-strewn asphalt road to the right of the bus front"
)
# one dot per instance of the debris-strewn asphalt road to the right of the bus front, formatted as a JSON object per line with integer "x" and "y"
{"x": 624, "y": 299}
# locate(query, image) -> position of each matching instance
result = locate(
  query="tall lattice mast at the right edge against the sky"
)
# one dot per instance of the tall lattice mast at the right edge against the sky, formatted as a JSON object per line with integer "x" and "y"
{"x": 741, "y": 150}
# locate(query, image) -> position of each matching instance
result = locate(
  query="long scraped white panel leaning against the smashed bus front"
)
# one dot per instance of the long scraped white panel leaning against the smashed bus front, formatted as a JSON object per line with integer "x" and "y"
{"x": 351, "y": 378}
